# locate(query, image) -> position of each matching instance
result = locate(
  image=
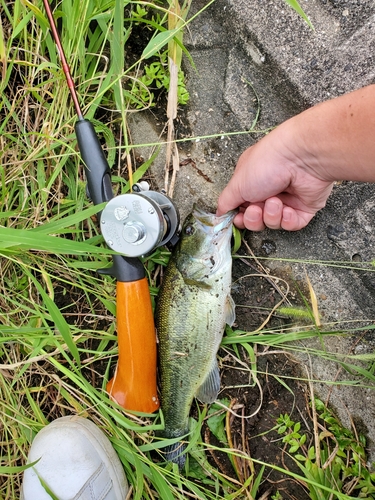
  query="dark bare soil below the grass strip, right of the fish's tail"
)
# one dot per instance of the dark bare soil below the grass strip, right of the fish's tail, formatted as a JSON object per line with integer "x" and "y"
{"x": 254, "y": 435}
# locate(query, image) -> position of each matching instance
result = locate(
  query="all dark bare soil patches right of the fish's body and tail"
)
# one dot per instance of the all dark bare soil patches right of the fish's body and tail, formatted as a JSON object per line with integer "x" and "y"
{"x": 255, "y": 296}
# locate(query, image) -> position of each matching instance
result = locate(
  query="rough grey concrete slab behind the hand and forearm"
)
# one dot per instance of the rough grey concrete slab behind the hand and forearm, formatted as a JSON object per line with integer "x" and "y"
{"x": 251, "y": 53}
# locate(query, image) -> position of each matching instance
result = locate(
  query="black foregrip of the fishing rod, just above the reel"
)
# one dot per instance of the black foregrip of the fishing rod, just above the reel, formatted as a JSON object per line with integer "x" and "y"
{"x": 97, "y": 170}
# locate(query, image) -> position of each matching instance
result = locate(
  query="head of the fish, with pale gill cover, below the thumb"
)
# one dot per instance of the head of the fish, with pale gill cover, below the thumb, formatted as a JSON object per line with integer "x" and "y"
{"x": 204, "y": 243}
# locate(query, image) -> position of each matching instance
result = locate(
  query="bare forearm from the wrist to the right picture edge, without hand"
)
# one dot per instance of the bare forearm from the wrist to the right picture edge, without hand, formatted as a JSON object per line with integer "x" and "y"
{"x": 336, "y": 139}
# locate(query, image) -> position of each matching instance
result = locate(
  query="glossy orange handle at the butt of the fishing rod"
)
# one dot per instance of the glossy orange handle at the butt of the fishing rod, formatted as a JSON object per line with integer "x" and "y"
{"x": 134, "y": 384}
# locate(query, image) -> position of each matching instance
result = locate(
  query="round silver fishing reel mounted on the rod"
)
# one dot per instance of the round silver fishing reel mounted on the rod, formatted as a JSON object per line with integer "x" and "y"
{"x": 134, "y": 224}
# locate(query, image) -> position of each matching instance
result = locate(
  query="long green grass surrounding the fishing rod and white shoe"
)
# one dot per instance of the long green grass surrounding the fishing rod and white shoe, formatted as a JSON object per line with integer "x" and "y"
{"x": 57, "y": 319}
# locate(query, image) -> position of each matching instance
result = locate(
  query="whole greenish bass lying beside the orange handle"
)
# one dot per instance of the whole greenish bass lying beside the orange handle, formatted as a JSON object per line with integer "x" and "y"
{"x": 193, "y": 307}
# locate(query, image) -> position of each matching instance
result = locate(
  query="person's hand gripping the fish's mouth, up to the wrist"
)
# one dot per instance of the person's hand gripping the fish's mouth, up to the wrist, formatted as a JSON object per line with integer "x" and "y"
{"x": 273, "y": 186}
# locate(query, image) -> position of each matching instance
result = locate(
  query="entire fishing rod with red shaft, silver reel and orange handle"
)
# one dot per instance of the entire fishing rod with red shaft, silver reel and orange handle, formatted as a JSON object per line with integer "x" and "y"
{"x": 132, "y": 224}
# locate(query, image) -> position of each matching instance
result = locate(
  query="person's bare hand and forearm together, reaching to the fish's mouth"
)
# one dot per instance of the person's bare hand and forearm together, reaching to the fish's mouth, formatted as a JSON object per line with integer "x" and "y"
{"x": 284, "y": 179}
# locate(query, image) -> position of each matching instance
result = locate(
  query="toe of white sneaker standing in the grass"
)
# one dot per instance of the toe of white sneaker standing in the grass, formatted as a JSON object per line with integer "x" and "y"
{"x": 77, "y": 462}
